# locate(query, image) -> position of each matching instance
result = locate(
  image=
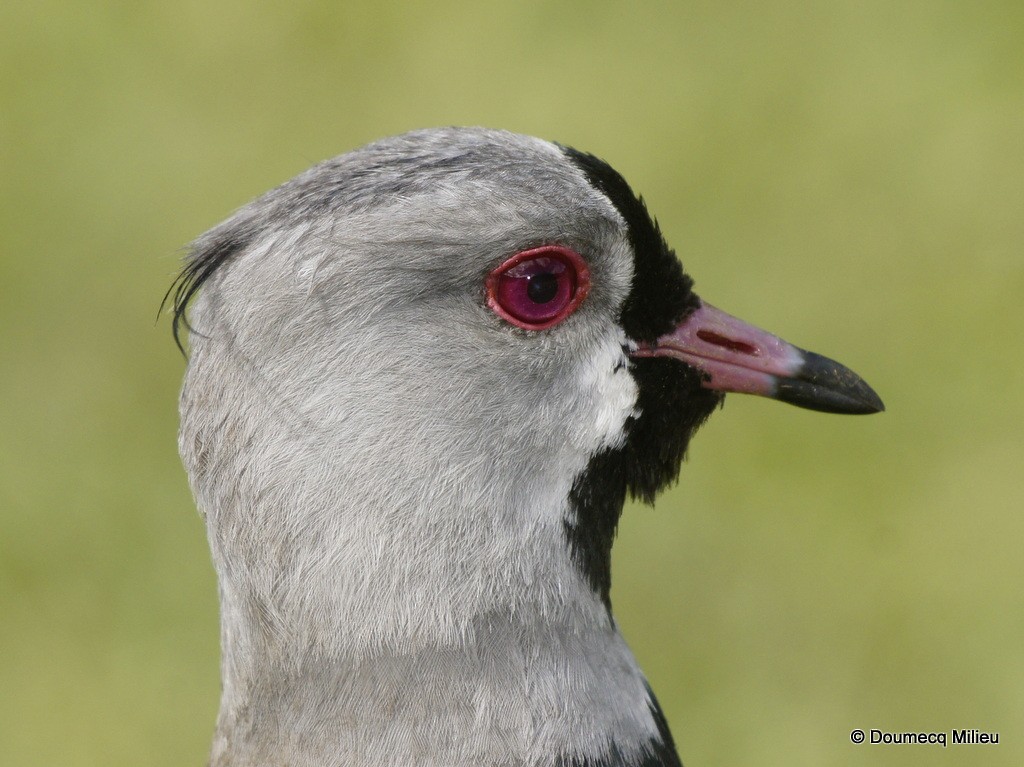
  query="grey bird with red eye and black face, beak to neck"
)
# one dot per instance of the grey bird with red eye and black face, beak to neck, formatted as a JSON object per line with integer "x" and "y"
{"x": 422, "y": 379}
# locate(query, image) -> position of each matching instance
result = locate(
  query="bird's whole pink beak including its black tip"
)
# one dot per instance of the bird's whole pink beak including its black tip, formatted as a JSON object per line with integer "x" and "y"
{"x": 738, "y": 357}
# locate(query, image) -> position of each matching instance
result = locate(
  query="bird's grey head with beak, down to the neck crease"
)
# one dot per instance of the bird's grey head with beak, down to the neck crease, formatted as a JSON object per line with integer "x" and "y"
{"x": 441, "y": 363}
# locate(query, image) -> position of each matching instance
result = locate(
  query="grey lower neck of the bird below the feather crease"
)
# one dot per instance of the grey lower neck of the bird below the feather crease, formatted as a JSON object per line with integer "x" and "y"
{"x": 506, "y": 693}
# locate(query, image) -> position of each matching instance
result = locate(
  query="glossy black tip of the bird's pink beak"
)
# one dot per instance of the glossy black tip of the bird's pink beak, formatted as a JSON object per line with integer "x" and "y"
{"x": 825, "y": 386}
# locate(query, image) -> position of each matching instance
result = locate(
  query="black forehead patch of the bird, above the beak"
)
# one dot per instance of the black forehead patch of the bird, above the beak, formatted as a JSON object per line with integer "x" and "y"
{"x": 662, "y": 295}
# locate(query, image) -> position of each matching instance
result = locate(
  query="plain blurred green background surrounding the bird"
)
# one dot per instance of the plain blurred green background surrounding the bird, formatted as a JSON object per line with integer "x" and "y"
{"x": 847, "y": 175}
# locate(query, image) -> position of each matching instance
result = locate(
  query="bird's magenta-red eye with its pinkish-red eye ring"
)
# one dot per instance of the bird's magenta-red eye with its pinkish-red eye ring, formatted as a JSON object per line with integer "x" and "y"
{"x": 539, "y": 288}
